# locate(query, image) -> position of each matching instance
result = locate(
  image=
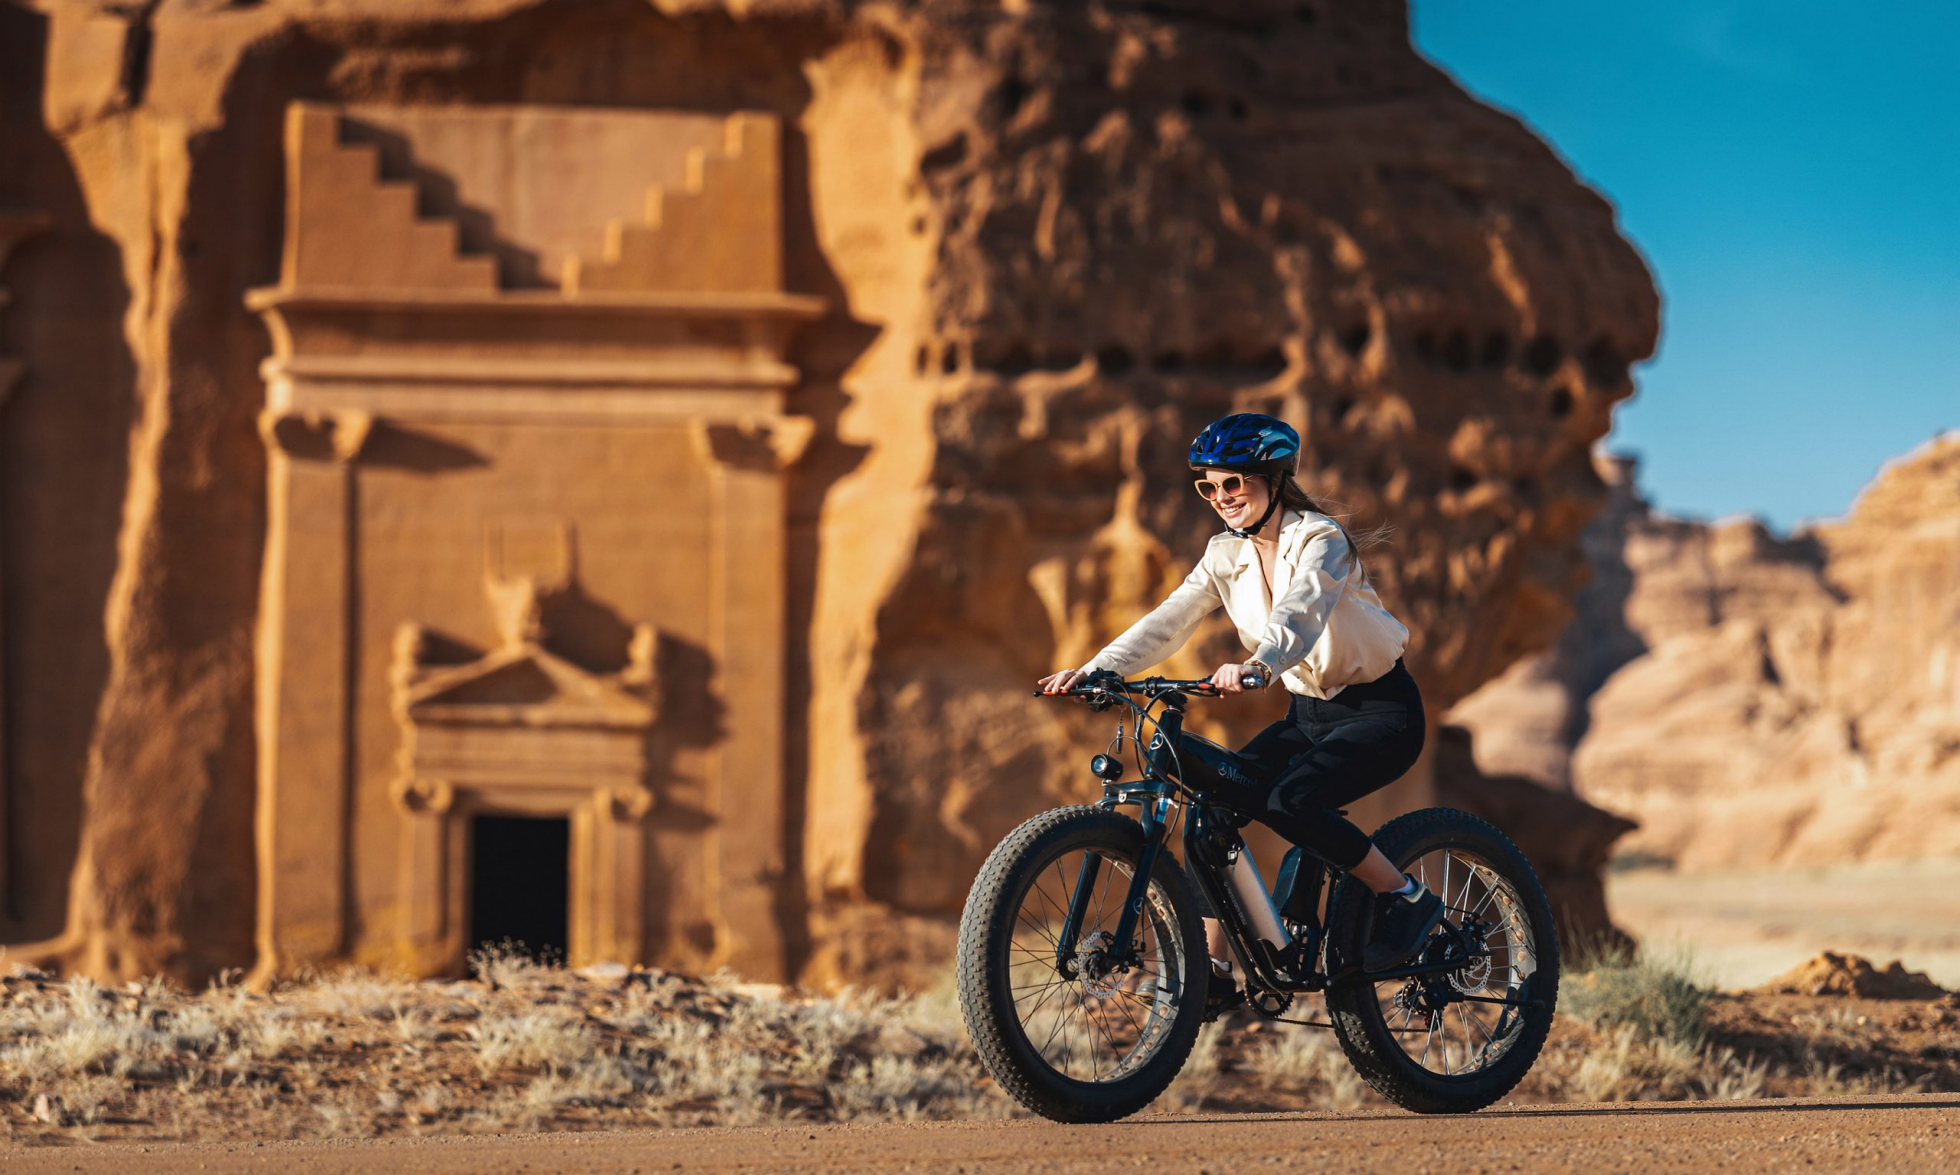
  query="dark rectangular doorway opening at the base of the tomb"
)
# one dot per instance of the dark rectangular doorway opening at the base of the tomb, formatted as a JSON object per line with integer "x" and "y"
{"x": 520, "y": 886}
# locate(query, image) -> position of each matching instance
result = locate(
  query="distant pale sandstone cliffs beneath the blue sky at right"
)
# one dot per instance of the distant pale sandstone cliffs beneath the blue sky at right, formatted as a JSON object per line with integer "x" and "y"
{"x": 1792, "y": 699}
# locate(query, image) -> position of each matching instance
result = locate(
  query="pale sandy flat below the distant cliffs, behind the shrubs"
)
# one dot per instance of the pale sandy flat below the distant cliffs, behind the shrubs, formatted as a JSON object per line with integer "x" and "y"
{"x": 1749, "y": 927}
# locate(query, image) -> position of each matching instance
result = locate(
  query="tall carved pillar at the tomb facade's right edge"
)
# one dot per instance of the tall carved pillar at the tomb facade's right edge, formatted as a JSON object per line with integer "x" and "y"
{"x": 748, "y": 586}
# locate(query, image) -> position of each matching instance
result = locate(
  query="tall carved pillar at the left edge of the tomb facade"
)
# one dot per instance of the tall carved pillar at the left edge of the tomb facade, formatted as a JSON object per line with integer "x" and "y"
{"x": 305, "y": 666}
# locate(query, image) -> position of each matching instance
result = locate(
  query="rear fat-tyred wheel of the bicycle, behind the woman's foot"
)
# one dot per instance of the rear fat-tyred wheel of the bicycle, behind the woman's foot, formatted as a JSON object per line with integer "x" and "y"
{"x": 1455, "y": 1041}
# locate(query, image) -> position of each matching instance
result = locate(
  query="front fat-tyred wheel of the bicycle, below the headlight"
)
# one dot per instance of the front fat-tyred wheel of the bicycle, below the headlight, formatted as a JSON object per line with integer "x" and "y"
{"x": 1075, "y": 1033}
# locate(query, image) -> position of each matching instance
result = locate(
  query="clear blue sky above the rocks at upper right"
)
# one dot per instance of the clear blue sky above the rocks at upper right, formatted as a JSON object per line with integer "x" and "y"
{"x": 1792, "y": 174}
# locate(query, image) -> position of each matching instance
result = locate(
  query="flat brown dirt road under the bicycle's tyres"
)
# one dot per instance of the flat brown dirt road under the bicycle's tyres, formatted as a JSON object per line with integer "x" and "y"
{"x": 1910, "y": 1133}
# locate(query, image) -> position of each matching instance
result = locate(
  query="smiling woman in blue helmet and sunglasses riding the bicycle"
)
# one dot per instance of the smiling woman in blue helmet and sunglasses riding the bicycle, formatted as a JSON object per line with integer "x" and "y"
{"x": 1310, "y": 619}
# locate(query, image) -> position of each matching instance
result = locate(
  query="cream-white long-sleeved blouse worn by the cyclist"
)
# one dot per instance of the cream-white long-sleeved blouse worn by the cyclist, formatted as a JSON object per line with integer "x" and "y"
{"x": 1328, "y": 629}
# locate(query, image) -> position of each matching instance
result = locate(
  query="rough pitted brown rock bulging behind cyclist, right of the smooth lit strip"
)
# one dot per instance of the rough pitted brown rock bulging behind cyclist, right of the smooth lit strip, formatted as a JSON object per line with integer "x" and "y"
{"x": 1142, "y": 227}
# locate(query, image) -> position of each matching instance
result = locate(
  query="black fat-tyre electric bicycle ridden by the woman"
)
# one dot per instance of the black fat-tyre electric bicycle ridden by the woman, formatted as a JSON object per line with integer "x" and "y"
{"x": 1087, "y": 1021}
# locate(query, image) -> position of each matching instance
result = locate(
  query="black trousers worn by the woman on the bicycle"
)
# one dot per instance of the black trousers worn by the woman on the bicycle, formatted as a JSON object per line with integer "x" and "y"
{"x": 1328, "y": 754}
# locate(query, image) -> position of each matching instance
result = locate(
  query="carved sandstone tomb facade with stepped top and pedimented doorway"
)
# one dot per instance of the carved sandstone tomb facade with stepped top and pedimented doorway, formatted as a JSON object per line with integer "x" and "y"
{"x": 524, "y": 542}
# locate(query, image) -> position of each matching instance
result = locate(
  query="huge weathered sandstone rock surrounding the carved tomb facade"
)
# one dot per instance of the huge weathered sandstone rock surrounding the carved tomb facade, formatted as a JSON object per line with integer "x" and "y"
{"x": 1055, "y": 240}
